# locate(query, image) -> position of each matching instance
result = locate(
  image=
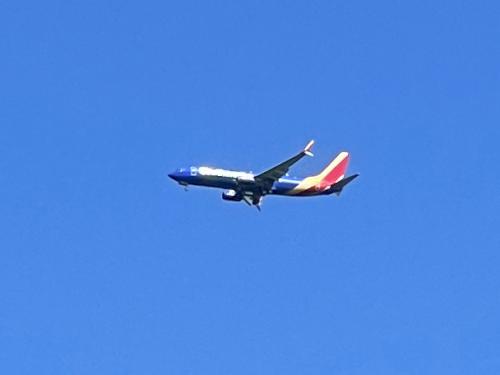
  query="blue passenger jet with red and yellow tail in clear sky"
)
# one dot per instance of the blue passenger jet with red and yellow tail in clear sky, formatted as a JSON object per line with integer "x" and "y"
{"x": 251, "y": 188}
